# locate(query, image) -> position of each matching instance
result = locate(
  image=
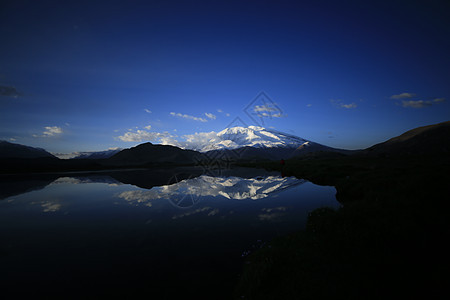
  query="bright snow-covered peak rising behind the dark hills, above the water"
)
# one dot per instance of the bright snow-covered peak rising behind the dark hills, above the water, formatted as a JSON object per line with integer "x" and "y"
{"x": 237, "y": 137}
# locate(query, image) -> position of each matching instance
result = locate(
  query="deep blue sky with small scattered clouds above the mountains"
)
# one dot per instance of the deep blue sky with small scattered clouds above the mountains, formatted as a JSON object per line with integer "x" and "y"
{"x": 91, "y": 75}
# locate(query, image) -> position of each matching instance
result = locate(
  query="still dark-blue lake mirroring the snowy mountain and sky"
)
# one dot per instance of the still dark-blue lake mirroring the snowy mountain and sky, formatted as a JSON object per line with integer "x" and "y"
{"x": 171, "y": 233}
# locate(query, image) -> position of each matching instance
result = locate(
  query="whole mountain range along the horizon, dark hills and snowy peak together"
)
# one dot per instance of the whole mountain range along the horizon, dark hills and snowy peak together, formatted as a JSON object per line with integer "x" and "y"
{"x": 231, "y": 144}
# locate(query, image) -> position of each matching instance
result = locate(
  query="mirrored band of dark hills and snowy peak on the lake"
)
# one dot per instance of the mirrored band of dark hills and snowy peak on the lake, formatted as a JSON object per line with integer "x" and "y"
{"x": 239, "y": 183}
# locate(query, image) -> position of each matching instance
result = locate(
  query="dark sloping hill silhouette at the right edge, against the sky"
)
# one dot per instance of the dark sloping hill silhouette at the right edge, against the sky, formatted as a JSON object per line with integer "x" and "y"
{"x": 426, "y": 140}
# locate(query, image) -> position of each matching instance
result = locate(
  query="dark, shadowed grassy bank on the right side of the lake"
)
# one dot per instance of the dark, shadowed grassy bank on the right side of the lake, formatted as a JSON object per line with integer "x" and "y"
{"x": 387, "y": 241}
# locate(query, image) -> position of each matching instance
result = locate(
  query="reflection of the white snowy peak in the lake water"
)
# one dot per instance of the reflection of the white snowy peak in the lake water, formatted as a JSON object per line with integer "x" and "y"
{"x": 229, "y": 187}
